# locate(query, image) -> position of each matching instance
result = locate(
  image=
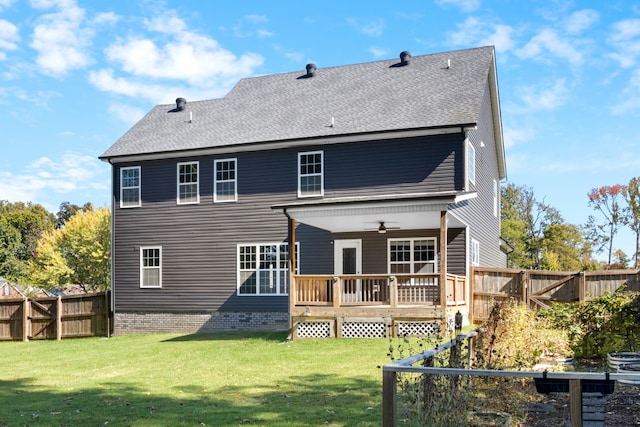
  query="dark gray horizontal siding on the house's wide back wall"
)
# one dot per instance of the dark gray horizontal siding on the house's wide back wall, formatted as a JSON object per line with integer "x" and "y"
{"x": 199, "y": 241}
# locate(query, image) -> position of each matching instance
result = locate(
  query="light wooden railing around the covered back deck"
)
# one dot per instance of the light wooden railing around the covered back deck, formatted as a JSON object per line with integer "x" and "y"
{"x": 368, "y": 290}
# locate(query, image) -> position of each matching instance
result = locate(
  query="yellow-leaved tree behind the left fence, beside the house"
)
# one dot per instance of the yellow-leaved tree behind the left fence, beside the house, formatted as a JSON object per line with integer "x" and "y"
{"x": 79, "y": 253}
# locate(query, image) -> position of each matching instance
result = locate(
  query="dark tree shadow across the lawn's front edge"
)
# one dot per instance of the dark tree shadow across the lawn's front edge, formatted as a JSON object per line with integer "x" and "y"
{"x": 298, "y": 401}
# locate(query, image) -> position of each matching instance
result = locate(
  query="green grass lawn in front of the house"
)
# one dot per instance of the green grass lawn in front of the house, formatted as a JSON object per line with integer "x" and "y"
{"x": 194, "y": 380}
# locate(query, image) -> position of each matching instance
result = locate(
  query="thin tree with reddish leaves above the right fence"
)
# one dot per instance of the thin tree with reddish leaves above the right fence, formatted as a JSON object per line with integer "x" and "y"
{"x": 606, "y": 200}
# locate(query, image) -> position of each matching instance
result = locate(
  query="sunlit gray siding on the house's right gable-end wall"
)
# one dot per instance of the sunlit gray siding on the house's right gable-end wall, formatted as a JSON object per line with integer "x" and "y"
{"x": 478, "y": 213}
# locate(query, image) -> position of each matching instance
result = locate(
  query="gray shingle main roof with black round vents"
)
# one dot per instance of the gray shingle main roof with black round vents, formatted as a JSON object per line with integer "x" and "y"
{"x": 362, "y": 98}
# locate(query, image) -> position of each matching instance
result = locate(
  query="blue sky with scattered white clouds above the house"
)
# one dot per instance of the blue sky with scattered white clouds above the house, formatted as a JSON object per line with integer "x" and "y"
{"x": 75, "y": 75}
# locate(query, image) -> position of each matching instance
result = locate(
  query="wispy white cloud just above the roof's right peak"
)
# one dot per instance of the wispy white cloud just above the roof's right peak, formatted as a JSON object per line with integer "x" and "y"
{"x": 476, "y": 32}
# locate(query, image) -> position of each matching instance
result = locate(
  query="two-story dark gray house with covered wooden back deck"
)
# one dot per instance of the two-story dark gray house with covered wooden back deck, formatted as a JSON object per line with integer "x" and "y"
{"x": 385, "y": 174}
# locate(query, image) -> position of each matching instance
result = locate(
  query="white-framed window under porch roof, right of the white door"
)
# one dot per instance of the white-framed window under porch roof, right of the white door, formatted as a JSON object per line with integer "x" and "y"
{"x": 413, "y": 256}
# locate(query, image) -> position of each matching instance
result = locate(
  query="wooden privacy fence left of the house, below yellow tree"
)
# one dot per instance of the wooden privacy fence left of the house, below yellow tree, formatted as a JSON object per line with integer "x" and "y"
{"x": 51, "y": 318}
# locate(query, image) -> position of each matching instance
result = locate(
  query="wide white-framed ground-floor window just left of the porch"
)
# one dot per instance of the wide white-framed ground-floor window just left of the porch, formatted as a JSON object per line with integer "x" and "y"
{"x": 263, "y": 269}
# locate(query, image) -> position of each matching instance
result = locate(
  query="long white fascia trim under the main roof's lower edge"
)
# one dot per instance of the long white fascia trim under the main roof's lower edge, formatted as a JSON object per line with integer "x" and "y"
{"x": 261, "y": 146}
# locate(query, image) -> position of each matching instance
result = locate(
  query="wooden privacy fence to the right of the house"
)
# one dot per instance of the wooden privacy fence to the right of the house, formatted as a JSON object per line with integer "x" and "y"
{"x": 538, "y": 288}
